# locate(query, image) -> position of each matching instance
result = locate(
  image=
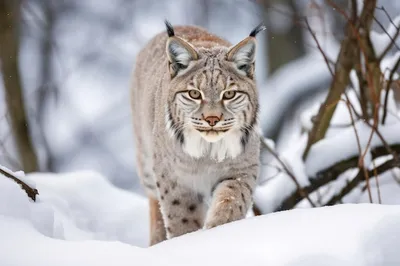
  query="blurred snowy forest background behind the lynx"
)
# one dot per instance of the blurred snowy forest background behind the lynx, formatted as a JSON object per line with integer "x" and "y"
{"x": 66, "y": 68}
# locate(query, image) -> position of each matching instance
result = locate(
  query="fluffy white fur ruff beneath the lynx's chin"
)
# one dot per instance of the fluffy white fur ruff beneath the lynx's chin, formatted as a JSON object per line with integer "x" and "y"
{"x": 228, "y": 146}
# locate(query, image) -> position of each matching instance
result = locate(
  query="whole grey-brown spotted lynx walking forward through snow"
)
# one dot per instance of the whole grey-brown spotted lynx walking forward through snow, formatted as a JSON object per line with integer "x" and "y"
{"x": 195, "y": 107}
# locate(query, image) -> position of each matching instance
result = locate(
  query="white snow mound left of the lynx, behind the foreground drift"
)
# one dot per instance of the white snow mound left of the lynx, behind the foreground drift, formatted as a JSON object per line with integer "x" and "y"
{"x": 80, "y": 206}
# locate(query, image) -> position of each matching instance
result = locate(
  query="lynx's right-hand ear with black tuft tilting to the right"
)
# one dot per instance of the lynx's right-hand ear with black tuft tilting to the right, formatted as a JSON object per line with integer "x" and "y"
{"x": 243, "y": 54}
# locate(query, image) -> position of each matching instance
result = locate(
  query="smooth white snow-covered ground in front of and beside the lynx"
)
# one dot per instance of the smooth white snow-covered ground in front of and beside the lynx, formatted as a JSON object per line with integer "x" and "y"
{"x": 82, "y": 219}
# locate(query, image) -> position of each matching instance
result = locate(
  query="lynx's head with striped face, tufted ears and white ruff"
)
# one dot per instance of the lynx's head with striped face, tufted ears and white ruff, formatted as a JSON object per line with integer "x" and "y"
{"x": 213, "y": 105}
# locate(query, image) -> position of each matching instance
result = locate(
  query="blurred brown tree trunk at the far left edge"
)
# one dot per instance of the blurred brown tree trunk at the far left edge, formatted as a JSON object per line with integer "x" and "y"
{"x": 9, "y": 45}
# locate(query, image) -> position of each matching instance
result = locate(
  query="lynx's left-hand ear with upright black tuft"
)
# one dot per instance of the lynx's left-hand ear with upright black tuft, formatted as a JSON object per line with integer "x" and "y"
{"x": 179, "y": 52}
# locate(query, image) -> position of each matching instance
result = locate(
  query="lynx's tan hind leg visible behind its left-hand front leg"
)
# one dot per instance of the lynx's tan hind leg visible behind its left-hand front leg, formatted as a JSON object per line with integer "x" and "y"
{"x": 157, "y": 228}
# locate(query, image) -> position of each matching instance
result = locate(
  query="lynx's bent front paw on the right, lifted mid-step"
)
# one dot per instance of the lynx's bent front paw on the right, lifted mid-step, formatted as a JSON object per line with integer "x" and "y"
{"x": 225, "y": 211}
